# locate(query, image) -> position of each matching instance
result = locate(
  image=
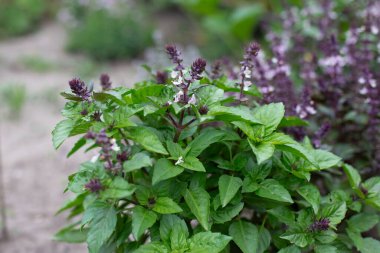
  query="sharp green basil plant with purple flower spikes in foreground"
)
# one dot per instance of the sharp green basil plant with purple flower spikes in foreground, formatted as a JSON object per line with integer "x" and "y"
{"x": 194, "y": 164}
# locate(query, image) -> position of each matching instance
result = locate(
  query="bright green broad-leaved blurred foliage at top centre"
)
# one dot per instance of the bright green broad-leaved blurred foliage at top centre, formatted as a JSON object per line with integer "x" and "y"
{"x": 226, "y": 25}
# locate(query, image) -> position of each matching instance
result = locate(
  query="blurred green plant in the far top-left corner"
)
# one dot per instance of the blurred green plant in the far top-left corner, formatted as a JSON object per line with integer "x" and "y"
{"x": 21, "y": 16}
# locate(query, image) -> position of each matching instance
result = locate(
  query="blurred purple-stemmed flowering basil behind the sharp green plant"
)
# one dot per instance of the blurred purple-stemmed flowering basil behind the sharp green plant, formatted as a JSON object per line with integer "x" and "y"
{"x": 323, "y": 65}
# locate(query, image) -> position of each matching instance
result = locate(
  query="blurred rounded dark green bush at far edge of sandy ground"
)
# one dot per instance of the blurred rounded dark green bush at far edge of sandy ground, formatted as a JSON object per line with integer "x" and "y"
{"x": 107, "y": 30}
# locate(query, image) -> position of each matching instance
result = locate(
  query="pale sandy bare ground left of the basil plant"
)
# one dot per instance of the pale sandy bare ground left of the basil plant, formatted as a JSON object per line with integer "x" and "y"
{"x": 35, "y": 174}
